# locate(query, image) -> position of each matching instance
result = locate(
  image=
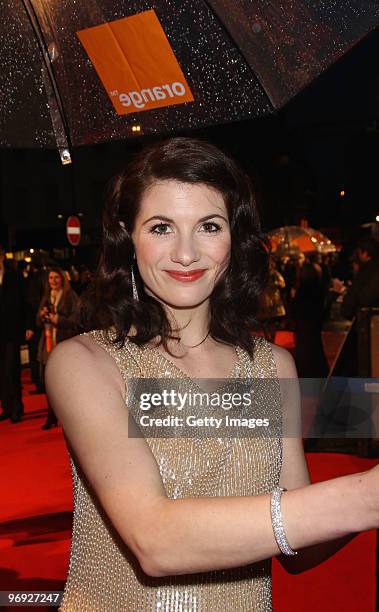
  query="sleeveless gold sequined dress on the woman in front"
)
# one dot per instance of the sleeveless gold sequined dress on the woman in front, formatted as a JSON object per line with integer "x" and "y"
{"x": 104, "y": 575}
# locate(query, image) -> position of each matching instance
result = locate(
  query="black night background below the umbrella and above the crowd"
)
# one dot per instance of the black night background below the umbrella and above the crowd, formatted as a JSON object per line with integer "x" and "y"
{"x": 324, "y": 141}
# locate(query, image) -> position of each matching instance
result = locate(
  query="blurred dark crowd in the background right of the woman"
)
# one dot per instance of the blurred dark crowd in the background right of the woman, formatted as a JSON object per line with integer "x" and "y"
{"x": 305, "y": 291}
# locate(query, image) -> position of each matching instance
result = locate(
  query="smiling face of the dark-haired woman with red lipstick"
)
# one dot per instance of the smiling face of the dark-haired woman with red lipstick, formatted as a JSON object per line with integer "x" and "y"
{"x": 182, "y": 241}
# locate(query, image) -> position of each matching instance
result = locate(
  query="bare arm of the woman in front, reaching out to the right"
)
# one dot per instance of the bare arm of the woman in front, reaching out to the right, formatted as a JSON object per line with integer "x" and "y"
{"x": 184, "y": 535}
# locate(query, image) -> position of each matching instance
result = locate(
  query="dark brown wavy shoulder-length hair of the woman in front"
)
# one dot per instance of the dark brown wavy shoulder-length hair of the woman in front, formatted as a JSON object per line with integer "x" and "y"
{"x": 234, "y": 300}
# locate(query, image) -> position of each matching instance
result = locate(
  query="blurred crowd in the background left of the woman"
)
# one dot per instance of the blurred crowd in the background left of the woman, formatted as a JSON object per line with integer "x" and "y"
{"x": 38, "y": 304}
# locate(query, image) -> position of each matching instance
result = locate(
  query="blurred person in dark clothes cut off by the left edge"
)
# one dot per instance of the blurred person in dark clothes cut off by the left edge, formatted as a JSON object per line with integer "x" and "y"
{"x": 13, "y": 333}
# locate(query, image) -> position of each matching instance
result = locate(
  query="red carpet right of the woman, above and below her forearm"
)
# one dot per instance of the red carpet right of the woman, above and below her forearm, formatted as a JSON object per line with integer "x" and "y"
{"x": 347, "y": 581}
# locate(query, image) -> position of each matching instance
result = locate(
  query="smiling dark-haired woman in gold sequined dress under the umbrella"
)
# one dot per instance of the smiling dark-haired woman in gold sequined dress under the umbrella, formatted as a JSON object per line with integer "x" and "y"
{"x": 172, "y": 523}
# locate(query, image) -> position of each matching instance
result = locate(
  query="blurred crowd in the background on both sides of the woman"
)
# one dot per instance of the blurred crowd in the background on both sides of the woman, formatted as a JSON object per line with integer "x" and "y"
{"x": 38, "y": 304}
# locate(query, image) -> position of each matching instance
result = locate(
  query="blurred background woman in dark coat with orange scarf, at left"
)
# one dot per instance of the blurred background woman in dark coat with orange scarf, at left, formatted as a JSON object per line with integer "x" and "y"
{"x": 57, "y": 316}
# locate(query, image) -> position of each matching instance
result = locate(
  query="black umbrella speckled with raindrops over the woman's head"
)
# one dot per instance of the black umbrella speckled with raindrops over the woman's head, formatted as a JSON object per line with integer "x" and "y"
{"x": 239, "y": 58}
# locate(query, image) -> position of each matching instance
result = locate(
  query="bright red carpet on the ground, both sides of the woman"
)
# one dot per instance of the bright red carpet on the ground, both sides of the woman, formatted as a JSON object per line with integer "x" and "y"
{"x": 35, "y": 524}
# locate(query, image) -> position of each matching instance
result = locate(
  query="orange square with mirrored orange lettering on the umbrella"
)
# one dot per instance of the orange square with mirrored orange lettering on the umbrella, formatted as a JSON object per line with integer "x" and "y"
{"x": 136, "y": 64}
